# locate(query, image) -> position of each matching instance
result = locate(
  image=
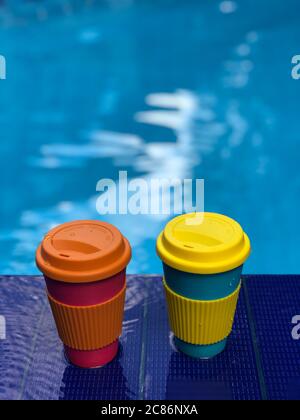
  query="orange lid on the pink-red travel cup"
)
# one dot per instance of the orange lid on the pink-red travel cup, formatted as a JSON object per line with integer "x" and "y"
{"x": 83, "y": 251}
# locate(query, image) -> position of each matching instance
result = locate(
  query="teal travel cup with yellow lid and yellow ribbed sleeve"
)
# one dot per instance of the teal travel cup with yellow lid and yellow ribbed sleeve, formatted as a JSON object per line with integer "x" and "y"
{"x": 203, "y": 256}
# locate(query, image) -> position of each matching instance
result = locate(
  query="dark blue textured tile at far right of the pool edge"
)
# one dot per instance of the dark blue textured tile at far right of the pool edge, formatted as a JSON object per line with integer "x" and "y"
{"x": 275, "y": 300}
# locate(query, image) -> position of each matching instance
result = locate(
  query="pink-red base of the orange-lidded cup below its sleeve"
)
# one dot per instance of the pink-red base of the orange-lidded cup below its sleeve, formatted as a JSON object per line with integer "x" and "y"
{"x": 92, "y": 358}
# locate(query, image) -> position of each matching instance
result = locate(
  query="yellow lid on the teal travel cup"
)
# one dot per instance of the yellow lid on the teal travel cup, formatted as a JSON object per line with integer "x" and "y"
{"x": 203, "y": 243}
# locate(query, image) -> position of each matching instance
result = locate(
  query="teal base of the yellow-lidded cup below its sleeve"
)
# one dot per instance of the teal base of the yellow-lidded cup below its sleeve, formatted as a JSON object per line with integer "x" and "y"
{"x": 199, "y": 351}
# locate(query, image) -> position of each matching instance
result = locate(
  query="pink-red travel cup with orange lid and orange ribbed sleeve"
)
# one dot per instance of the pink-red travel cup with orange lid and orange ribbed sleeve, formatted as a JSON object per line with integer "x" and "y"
{"x": 84, "y": 266}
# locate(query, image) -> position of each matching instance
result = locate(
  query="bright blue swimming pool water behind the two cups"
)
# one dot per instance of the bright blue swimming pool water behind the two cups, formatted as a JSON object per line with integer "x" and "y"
{"x": 78, "y": 102}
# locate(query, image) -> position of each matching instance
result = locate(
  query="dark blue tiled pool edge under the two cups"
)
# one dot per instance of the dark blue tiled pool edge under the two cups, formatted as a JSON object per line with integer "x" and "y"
{"x": 261, "y": 361}
